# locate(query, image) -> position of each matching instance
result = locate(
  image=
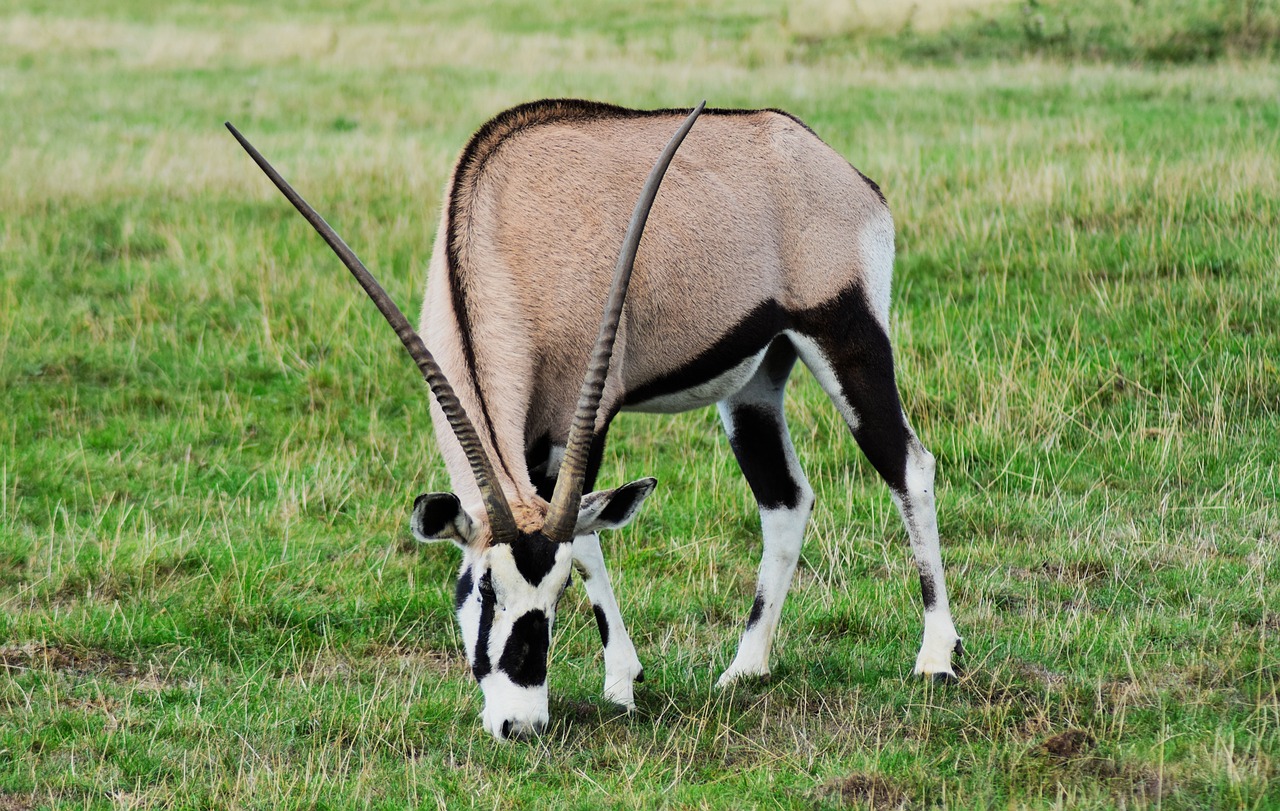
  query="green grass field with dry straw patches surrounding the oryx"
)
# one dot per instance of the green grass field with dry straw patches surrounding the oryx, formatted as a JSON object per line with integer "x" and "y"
{"x": 209, "y": 441}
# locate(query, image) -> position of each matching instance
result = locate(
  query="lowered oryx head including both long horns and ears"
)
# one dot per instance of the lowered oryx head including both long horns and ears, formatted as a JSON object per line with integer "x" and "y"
{"x": 513, "y": 575}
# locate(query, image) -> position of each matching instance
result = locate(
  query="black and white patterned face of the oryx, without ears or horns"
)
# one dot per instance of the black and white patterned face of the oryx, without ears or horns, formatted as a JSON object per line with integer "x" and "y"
{"x": 506, "y": 606}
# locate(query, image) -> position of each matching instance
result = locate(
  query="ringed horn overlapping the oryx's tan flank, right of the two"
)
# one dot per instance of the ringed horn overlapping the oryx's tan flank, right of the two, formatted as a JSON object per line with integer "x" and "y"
{"x": 563, "y": 516}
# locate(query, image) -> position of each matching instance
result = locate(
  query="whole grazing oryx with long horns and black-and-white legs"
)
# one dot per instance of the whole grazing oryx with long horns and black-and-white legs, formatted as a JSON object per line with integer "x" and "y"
{"x": 765, "y": 249}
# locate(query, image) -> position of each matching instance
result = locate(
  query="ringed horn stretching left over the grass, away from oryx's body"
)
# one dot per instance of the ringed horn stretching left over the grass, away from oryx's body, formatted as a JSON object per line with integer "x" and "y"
{"x": 501, "y": 521}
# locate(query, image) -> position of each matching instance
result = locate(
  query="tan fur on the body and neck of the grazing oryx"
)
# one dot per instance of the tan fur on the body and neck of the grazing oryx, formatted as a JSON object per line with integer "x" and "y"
{"x": 755, "y": 208}
